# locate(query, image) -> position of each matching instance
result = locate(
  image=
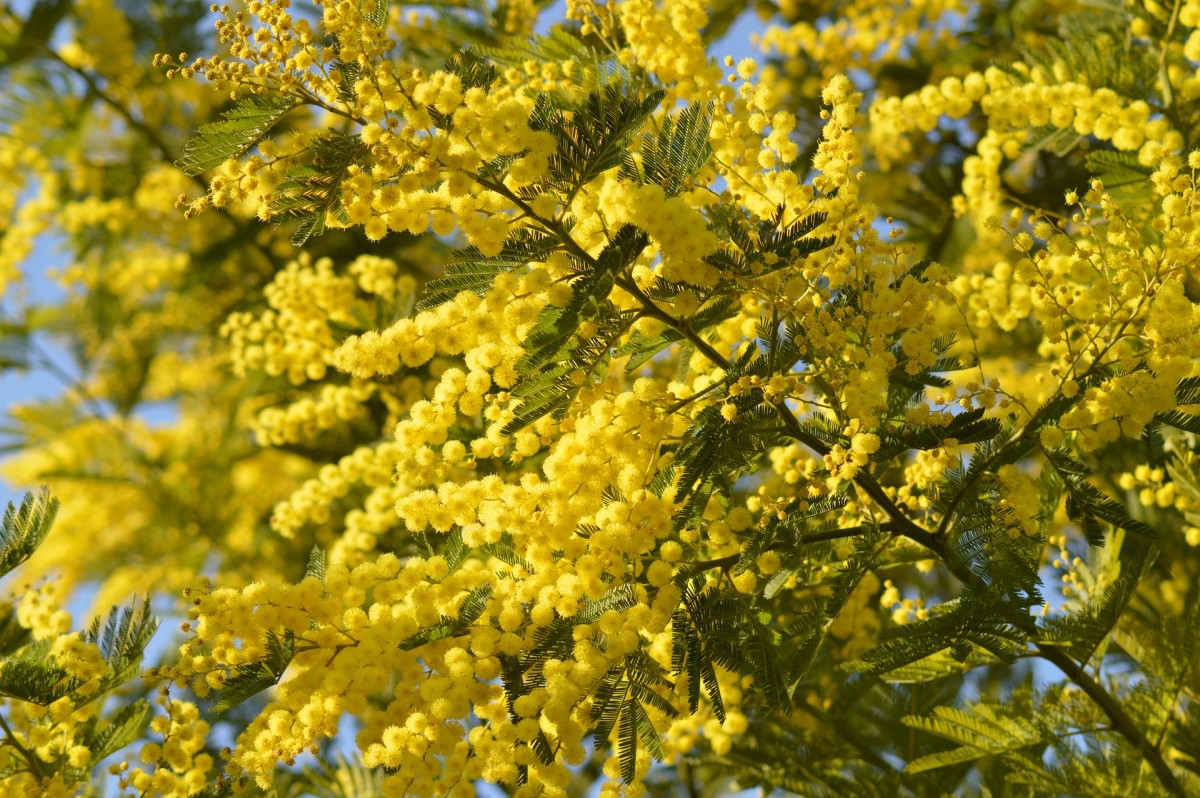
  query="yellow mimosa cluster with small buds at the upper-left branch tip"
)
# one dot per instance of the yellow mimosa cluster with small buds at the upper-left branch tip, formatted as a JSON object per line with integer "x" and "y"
{"x": 423, "y": 177}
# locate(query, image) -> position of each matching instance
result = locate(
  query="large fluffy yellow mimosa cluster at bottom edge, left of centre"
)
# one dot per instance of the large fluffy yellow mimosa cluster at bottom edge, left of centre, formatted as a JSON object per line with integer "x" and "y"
{"x": 434, "y": 687}
